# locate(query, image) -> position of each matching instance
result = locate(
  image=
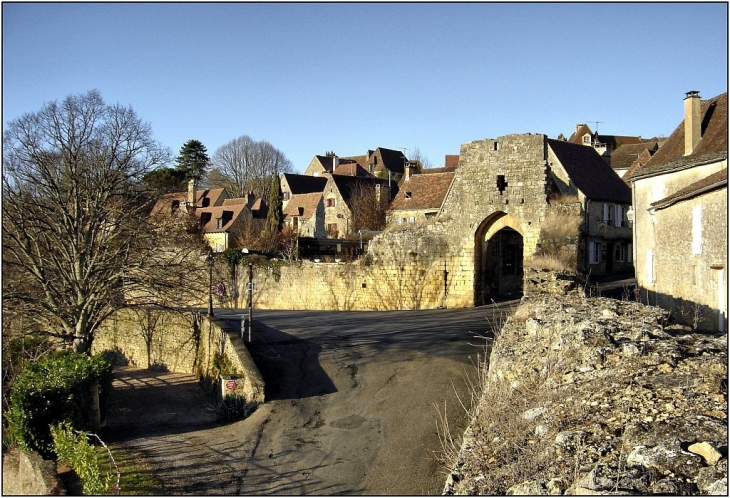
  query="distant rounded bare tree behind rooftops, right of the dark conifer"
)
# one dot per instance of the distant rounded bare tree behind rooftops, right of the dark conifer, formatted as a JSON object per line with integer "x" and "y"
{"x": 243, "y": 165}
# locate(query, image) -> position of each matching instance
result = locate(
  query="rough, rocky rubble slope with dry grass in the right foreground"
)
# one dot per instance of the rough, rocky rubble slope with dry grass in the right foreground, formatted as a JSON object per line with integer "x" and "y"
{"x": 597, "y": 396}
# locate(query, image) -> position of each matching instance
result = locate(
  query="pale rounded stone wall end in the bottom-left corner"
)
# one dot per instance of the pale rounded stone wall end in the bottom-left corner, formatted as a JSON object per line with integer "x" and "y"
{"x": 27, "y": 473}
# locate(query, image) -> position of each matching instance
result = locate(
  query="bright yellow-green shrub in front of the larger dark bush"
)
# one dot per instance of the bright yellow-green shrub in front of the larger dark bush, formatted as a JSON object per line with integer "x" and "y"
{"x": 73, "y": 448}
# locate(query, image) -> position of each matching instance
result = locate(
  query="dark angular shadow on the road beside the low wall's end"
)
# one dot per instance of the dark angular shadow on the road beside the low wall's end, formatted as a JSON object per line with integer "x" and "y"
{"x": 289, "y": 365}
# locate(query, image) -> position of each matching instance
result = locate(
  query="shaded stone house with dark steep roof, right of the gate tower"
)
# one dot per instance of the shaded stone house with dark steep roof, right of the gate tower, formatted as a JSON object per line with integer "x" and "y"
{"x": 605, "y": 245}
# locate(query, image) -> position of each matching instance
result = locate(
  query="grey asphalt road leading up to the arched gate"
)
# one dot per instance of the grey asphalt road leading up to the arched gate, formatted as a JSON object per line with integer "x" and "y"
{"x": 353, "y": 402}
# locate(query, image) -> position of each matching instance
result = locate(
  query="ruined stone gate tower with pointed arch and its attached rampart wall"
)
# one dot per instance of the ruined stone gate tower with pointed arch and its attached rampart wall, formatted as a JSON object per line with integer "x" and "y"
{"x": 500, "y": 184}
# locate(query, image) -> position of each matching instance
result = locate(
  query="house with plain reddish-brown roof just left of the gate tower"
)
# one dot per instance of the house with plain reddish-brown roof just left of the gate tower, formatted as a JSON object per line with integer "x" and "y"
{"x": 419, "y": 198}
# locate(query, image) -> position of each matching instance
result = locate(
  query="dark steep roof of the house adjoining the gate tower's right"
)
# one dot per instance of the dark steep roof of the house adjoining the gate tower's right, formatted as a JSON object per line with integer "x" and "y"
{"x": 589, "y": 173}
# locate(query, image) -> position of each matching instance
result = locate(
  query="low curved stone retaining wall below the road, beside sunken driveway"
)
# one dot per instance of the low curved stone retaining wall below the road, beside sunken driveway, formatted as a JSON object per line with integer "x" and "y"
{"x": 185, "y": 342}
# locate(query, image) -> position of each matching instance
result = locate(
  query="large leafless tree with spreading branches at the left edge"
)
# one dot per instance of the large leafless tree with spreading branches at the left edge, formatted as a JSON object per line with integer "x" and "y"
{"x": 77, "y": 240}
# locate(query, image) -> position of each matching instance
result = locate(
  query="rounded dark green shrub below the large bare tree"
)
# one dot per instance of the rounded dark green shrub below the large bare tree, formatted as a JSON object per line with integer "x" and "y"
{"x": 56, "y": 389}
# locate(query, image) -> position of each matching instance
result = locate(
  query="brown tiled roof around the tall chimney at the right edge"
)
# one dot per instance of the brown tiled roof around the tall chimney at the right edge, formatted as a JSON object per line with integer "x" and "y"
{"x": 712, "y": 147}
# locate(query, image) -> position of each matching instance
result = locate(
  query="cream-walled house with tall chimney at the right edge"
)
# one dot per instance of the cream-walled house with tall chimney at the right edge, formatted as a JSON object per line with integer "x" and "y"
{"x": 680, "y": 217}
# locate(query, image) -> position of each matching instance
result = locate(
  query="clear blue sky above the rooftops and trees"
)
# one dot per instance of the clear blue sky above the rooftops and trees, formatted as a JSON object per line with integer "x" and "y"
{"x": 349, "y": 77}
